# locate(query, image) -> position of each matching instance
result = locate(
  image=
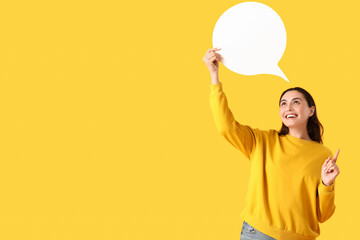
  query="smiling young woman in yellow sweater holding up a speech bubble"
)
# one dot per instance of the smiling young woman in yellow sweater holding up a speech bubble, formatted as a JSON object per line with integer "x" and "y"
{"x": 292, "y": 176}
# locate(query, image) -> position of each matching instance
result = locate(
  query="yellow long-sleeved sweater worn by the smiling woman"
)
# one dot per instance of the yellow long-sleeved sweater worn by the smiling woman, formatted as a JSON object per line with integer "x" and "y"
{"x": 286, "y": 197}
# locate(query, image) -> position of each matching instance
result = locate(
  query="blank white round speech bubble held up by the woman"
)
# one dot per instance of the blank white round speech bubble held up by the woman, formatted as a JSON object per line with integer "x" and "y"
{"x": 252, "y": 38}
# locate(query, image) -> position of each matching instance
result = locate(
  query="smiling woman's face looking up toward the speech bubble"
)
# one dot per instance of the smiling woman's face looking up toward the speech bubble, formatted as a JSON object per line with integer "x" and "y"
{"x": 294, "y": 104}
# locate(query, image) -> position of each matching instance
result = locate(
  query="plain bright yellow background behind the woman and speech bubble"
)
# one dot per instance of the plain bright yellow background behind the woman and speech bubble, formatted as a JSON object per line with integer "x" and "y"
{"x": 106, "y": 130}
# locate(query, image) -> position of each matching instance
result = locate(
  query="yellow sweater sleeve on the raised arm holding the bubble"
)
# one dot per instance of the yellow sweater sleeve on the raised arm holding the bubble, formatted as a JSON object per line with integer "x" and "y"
{"x": 242, "y": 137}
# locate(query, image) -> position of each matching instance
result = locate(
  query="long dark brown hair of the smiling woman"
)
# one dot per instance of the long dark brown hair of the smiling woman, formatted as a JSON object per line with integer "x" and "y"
{"x": 314, "y": 127}
